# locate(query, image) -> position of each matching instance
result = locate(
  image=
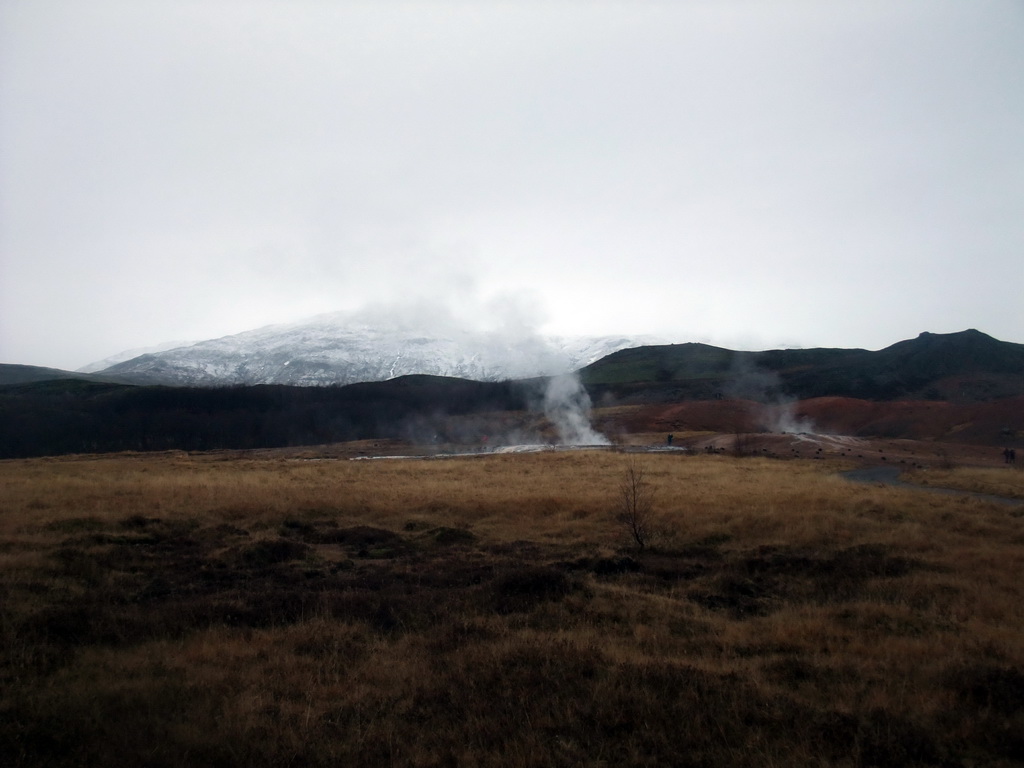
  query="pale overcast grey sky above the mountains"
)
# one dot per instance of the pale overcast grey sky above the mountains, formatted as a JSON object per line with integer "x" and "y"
{"x": 752, "y": 175}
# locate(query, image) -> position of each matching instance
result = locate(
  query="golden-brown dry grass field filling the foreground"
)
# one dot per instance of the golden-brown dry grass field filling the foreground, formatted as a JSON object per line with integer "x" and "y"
{"x": 261, "y": 611}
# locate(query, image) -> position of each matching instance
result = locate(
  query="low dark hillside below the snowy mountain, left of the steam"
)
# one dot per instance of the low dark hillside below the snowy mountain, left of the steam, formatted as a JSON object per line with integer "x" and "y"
{"x": 71, "y": 416}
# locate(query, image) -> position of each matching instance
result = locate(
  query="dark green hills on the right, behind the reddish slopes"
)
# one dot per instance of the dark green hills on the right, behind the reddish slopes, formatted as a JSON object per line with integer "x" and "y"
{"x": 964, "y": 367}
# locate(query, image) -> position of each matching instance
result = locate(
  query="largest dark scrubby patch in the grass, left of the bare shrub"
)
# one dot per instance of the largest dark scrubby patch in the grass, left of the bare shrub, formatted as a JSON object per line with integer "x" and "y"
{"x": 146, "y": 579}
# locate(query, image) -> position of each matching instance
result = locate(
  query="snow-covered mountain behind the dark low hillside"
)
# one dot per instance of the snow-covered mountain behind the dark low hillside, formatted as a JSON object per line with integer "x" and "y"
{"x": 342, "y": 349}
